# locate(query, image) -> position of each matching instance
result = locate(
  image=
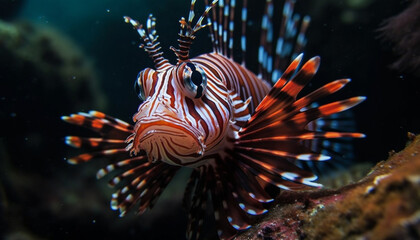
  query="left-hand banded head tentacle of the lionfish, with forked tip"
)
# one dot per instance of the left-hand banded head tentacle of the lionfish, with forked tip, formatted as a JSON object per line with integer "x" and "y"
{"x": 151, "y": 44}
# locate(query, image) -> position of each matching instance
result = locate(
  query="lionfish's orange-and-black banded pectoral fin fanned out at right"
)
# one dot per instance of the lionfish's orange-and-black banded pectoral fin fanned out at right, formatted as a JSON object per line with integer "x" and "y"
{"x": 271, "y": 141}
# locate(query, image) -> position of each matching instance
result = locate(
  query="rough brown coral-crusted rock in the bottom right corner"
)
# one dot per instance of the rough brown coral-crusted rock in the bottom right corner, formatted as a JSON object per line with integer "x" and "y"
{"x": 383, "y": 205}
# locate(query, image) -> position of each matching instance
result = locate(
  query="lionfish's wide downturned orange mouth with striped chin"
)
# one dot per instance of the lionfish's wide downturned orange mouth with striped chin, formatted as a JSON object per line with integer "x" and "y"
{"x": 173, "y": 142}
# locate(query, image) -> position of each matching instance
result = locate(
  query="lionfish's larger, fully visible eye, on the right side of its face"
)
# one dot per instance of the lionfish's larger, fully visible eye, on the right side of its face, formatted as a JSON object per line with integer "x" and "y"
{"x": 195, "y": 79}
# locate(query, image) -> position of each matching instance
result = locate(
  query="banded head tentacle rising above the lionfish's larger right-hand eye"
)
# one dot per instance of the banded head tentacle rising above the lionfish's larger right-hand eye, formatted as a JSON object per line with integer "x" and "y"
{"x": 186, "y": 33}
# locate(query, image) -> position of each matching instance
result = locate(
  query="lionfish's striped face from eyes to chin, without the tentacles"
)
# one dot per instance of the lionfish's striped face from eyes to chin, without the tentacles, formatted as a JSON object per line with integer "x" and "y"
{"x": 166, "y": 129}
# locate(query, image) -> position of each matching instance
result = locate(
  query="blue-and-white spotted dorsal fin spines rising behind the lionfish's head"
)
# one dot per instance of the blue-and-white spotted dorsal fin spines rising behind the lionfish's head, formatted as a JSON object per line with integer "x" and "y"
{"x": 273, "y": 54}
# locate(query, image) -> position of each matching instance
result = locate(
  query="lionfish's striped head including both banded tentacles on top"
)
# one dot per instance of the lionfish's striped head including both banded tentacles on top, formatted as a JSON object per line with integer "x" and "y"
{"x": 172, "y": 124}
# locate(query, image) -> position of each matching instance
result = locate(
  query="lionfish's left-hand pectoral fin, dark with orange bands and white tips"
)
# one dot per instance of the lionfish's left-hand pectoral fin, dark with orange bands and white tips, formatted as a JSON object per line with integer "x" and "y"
{"x": 139, "y": 182}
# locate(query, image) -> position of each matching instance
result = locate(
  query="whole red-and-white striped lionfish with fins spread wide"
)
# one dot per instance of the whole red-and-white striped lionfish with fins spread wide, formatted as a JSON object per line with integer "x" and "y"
{"x": 210, "y": 113}
